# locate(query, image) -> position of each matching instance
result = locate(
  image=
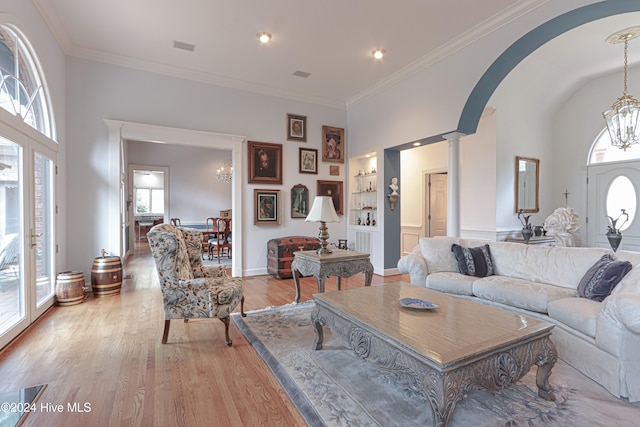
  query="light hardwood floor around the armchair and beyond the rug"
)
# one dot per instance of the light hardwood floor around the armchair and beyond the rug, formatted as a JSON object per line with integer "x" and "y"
{"x": 106, "y": 352}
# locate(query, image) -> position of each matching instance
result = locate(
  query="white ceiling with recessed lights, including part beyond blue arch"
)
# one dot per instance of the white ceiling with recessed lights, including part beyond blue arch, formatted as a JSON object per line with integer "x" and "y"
{"x": 331, "y": 39}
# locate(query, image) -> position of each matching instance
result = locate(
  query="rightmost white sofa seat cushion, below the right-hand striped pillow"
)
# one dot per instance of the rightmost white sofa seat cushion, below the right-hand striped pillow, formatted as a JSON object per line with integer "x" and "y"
{"x": 580, "y": 314}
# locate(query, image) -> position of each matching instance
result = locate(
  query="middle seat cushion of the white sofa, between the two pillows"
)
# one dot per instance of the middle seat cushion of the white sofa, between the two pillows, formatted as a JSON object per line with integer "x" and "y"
{"x": 519, "y": 292}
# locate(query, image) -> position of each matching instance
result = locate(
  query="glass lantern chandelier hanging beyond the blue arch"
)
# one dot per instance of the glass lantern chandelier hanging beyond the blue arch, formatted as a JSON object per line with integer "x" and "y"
{"x": 623, "y": 117}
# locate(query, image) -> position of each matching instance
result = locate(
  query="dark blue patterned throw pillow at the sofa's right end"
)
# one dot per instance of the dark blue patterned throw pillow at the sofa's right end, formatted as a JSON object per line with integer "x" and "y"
{"x": 602, "y": 277}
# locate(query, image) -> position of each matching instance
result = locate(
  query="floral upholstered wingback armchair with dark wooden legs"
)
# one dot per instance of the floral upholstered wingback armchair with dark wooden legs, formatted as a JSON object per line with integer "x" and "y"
{"x": 189, "y": 289}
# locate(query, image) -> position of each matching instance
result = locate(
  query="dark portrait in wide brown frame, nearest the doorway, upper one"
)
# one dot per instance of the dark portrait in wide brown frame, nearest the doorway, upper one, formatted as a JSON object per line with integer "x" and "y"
{"x": 265, "y": 163}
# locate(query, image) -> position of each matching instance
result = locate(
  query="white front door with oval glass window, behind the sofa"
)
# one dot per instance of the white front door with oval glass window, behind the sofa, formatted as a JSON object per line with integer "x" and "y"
{"x": 612, "y": 187}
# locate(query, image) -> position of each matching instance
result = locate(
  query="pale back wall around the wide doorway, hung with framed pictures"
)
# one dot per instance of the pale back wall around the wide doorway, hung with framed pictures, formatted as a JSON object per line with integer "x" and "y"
{"x": 99, "y": 91}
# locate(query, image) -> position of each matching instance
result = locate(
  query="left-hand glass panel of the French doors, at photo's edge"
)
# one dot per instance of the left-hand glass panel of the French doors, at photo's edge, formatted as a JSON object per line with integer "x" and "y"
{"x": 12, "y": 300}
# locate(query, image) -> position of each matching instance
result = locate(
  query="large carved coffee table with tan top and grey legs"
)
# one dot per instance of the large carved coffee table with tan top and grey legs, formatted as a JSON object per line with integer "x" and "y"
{"x": 442, "y": 353}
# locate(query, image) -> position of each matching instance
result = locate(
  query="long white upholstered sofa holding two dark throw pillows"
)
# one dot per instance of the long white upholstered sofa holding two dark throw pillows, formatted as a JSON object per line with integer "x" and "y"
{"x": 600, "y": 339}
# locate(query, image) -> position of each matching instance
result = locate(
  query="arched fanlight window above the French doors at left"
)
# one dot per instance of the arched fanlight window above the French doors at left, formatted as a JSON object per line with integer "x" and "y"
{"x": 22, "y": 89}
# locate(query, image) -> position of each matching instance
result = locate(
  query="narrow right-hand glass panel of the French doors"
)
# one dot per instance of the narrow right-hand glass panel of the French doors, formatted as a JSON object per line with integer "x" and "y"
{"x": 43, "y": 233}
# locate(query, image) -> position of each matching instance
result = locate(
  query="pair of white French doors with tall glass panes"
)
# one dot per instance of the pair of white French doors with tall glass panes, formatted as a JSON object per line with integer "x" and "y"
{"x": 27, "y": 232}
